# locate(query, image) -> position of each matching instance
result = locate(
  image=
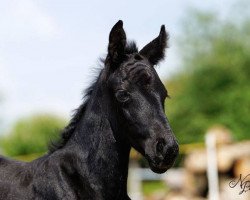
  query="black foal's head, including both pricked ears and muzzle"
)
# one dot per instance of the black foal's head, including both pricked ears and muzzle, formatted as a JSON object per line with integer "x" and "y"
{"x": 139, "y": 96}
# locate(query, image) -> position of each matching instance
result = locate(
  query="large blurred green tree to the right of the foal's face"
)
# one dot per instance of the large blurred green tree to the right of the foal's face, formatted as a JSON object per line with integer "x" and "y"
{"x": 213, "y": 86}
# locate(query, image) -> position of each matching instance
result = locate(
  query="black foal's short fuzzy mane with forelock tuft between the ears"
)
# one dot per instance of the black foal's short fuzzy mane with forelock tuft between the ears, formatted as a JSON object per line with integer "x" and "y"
{"x": 79, "y": 112}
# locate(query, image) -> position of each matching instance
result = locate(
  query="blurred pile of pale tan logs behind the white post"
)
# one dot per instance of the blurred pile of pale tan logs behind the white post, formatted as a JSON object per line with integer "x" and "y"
{"x": 233, "y": 161}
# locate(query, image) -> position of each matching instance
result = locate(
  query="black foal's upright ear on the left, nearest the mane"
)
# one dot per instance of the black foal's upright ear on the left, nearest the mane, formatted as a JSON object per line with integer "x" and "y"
{"x": 117, "y": 42}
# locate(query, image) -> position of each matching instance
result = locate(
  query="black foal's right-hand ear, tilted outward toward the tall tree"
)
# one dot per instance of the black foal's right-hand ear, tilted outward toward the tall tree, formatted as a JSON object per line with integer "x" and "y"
{"x": 155, "y": 50}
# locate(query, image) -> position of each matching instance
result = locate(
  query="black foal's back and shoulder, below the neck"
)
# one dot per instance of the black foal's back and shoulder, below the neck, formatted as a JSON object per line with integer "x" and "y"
{"x": 46, "y": 178}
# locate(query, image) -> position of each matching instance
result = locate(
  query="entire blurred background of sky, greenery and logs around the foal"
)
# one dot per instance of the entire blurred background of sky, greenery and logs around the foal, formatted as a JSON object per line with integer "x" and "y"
{"x": 49, "y": 51}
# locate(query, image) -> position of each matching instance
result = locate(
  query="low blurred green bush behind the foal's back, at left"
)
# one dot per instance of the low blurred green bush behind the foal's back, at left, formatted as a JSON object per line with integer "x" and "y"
{"x": 31, "y": 135}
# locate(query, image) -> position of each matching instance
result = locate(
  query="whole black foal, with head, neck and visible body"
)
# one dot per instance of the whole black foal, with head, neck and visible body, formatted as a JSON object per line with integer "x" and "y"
{"x": 124, "y": 108}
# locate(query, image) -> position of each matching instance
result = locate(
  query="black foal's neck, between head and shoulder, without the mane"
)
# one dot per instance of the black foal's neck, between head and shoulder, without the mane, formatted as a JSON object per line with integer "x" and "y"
{"x": 98, "y": 142}
